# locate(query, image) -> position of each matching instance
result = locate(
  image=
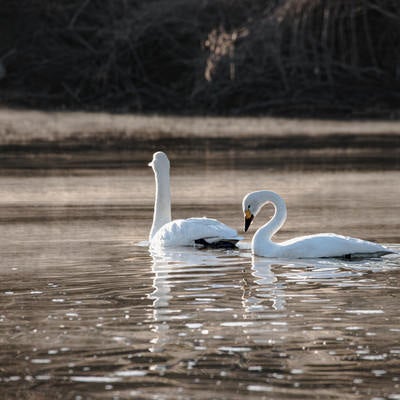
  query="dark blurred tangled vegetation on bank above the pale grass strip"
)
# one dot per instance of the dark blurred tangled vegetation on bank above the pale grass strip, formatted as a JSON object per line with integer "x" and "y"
{"x": 230, "y": 57}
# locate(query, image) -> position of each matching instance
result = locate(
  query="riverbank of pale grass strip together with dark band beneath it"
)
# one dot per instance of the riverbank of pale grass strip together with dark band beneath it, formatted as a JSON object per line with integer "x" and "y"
{"x": 36, "y": 139}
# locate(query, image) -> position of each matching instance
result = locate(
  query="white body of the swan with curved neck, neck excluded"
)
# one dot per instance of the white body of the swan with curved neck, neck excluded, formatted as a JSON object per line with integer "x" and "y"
{"x": 329, "y": 245}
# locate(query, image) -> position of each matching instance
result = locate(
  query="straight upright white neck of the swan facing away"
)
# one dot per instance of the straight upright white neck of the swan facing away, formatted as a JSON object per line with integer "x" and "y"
{"x": 162, "y": 204}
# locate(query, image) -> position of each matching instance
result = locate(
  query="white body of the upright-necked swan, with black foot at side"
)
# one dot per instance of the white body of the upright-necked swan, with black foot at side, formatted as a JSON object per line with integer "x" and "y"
{"x": 186, "y": 232}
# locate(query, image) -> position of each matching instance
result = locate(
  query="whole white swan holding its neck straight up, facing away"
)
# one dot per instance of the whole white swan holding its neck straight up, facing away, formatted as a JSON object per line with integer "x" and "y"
{"x": 182, "y": 232}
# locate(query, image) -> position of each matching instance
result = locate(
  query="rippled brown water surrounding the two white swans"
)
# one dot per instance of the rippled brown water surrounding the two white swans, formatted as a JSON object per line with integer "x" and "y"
{"x": 87, "y": 312}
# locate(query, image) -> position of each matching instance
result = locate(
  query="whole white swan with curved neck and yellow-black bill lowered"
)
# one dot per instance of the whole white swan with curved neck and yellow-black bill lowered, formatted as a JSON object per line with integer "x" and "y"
{"x": 312, "y": 246}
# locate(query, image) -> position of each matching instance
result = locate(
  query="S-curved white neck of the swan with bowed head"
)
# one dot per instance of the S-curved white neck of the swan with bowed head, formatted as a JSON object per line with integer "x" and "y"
{"x": 265, "y": 233}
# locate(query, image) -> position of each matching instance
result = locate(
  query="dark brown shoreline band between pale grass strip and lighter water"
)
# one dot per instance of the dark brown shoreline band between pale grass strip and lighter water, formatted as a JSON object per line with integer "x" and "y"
{"x": 329, "y": 152}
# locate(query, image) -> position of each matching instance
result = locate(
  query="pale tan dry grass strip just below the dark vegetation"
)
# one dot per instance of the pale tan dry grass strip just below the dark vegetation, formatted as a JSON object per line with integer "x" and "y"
{"x": 26, "y": 127}
